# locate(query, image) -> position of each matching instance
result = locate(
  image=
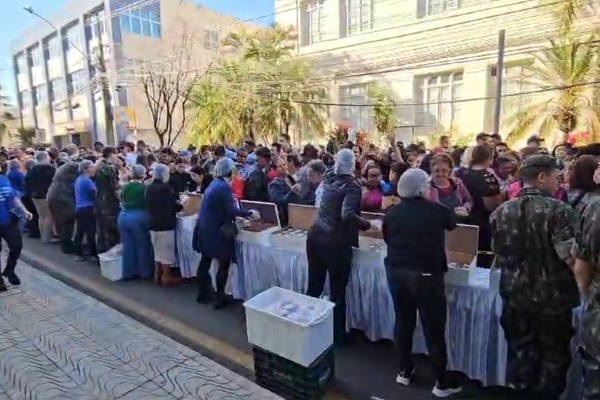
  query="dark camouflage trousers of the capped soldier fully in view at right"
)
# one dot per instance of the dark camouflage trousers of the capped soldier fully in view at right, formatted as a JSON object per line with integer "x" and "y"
{"x": 539, "y": 352}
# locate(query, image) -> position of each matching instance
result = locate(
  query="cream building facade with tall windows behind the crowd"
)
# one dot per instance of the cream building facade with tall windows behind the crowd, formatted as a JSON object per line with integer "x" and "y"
{"x": 438, "y": 57}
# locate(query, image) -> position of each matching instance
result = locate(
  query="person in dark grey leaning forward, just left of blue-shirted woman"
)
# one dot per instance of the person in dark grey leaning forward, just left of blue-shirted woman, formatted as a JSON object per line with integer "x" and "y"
{"x": 61, "y": 202}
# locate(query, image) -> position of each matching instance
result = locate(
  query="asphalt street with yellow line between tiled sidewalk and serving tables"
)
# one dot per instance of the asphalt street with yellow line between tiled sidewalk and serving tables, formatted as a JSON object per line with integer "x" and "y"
{"x": 363, "y": 370}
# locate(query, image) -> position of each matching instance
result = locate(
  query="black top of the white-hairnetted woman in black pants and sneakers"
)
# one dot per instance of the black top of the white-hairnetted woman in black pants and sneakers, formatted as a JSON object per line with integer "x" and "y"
{"x": 415, "y": 234}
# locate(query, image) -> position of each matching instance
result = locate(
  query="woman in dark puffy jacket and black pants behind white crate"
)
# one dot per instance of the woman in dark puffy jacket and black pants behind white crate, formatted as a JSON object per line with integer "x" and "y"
{"x": 331, "y": 238}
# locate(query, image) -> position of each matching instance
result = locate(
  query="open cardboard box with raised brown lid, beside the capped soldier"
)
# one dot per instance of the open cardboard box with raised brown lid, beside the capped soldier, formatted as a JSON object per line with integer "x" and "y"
{"x": 461, "y": 249}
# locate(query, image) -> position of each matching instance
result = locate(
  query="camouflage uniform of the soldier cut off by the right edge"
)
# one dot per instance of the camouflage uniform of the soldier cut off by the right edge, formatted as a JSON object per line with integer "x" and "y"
{"x": 587, "y": 248}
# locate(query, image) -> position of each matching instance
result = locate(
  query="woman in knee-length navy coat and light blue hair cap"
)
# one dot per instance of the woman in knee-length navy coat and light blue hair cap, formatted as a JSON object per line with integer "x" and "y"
{"x": 215, "y": 232}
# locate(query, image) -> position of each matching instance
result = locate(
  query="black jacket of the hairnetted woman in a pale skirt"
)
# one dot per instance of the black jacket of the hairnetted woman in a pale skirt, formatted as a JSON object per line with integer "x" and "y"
{"x": 162, "y": 206}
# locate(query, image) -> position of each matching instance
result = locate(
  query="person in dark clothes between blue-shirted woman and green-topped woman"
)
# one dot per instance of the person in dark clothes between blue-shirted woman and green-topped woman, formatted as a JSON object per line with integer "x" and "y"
{"x": 107, "y": 201}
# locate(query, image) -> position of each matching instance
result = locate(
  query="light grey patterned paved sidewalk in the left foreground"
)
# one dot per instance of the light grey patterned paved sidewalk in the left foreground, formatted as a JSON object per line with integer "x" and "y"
{"x": 58, "y": 343}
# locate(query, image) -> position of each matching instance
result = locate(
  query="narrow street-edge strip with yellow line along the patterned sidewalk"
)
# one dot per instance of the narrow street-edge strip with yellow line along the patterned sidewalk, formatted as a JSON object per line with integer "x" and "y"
{"x": 238, "y": 361}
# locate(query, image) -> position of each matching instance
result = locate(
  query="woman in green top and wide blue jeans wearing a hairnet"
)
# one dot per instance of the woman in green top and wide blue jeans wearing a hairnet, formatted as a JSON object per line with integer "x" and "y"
{"x": 137, "y": 258}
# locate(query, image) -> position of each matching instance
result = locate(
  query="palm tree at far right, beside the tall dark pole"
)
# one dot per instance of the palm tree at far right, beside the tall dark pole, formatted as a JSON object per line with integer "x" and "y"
{"x": 566, "y": 72}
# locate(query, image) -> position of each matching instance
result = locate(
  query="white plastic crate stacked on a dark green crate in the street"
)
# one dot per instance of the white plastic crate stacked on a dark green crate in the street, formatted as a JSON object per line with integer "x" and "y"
{"x": 299, "y": 342}
